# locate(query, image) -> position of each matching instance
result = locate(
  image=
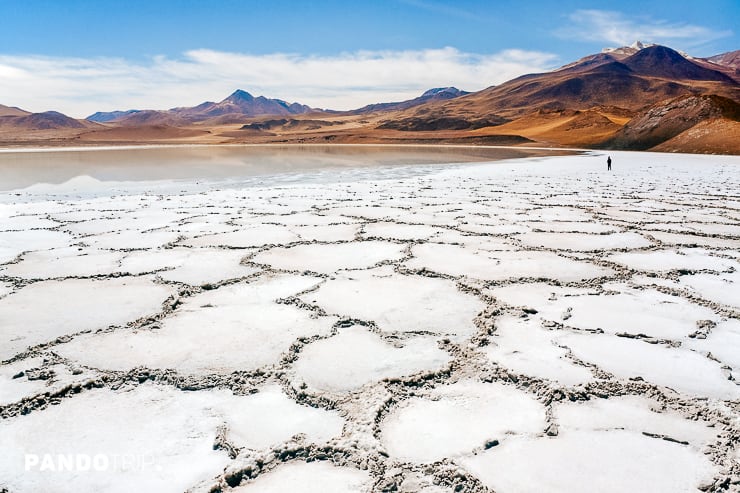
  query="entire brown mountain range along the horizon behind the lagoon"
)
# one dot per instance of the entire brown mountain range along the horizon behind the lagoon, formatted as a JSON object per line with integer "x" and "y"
{"x": 634, "y": 97}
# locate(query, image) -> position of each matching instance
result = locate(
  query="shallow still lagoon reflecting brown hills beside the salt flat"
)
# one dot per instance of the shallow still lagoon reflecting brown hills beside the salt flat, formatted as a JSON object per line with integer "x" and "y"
{"x": 28, "y": 167}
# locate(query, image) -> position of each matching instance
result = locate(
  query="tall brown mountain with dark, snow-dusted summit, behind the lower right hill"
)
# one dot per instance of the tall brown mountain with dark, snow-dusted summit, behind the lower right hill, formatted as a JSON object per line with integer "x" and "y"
{"x": 648, "y": 76}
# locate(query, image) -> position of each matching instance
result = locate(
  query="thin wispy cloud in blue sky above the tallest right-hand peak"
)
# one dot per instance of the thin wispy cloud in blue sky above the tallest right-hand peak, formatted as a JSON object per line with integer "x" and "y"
{"x": 619, "y": 29}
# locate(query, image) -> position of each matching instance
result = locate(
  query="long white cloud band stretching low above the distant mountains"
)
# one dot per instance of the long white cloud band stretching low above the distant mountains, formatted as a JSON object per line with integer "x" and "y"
{"x": 79, "y": 86}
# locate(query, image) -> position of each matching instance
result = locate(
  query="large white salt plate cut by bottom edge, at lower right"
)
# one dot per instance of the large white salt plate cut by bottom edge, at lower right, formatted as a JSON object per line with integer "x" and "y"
{"x": 587, "y": 461}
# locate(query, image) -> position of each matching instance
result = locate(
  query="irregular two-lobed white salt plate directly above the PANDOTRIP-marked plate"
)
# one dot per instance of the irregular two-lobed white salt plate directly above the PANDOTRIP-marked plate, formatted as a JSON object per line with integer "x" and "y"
{"x": 235, "y": 327}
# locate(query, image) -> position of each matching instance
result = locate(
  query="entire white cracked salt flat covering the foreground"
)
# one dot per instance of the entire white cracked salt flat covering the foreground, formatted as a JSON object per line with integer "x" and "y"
{"x": 525, "y": 325}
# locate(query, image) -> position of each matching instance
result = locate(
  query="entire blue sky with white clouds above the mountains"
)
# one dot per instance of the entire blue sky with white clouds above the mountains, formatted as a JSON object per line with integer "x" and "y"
{"x": 80, "y": 56}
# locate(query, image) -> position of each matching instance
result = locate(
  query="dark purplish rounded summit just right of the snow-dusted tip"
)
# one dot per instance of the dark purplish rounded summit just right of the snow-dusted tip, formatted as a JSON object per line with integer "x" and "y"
{"x": 665, "y": 63}
